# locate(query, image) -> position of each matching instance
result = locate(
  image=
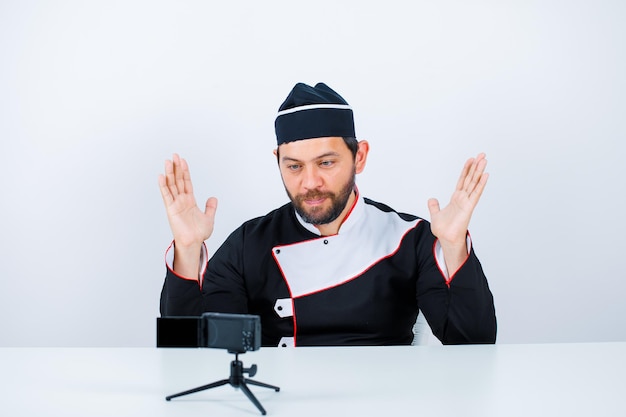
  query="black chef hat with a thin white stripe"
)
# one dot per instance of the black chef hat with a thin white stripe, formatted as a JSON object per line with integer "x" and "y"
{"x": 313, "y": 112}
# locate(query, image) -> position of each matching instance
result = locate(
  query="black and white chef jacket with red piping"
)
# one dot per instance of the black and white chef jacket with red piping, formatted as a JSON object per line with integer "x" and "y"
{"x": 362, "y": 286}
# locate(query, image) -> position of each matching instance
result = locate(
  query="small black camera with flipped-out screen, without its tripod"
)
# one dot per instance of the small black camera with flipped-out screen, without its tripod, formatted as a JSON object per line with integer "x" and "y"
{"x": 238, "y": 333}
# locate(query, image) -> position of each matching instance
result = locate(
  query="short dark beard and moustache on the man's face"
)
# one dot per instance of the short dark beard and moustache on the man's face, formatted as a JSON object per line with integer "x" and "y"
{"x": 322, "y": 215}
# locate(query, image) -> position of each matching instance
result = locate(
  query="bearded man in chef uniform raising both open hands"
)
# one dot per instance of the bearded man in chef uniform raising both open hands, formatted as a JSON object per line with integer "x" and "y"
{"x": 330, "y": 267}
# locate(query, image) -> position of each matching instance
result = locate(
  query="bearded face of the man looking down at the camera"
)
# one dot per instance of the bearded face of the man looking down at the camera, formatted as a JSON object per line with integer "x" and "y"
{"x": 319, "y": 176}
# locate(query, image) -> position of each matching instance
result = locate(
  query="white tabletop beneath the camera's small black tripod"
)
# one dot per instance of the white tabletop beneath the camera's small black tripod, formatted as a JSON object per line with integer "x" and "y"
{"x": 500, "y": 380}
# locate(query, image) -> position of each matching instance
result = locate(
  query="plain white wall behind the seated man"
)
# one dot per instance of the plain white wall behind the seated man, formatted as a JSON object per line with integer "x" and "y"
{"x": 94, "y": 96}
